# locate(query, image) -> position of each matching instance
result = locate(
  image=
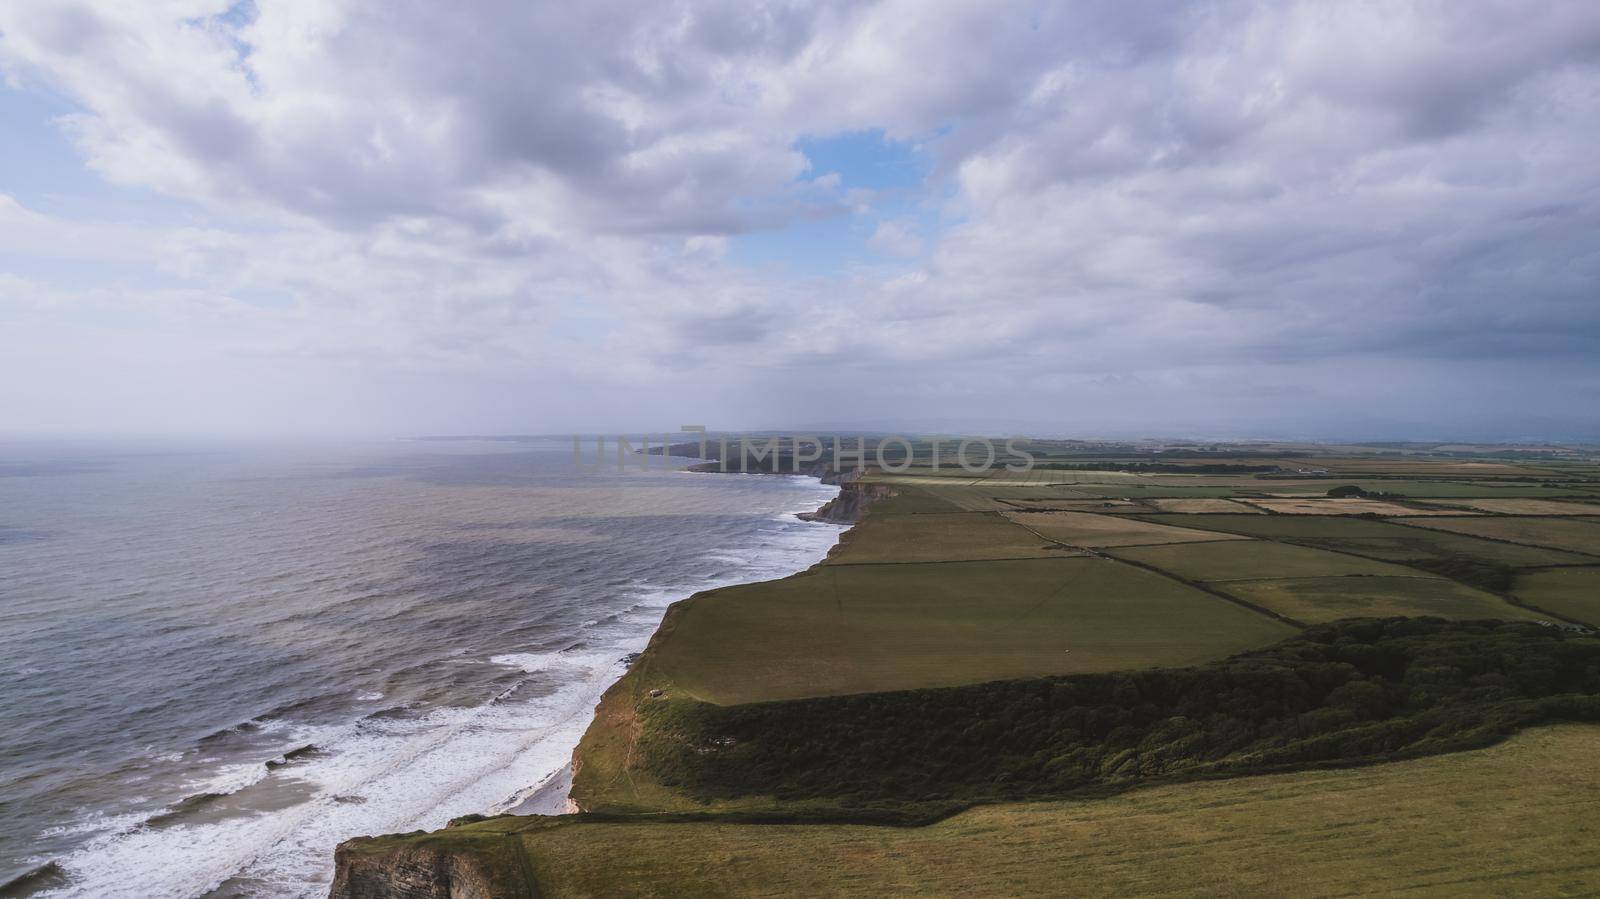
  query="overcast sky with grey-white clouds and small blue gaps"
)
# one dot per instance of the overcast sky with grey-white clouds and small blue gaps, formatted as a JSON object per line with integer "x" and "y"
{"x": 318, "y": 217}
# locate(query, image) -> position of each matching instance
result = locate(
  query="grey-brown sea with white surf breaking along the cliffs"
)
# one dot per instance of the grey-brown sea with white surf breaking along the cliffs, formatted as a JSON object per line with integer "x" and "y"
{"x": 217, "y": 663}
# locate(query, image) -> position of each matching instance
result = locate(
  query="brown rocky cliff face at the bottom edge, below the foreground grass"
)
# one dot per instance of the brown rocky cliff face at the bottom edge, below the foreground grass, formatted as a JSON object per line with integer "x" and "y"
{"x": 449, "y": 865}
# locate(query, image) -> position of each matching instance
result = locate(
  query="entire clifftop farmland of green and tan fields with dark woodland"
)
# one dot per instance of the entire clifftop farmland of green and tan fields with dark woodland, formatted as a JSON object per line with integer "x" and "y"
{"x": 964, "y": 605}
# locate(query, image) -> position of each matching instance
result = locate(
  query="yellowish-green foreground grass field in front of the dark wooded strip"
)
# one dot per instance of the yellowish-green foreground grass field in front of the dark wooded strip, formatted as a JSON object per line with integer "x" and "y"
{"x": 1519, "y": 818}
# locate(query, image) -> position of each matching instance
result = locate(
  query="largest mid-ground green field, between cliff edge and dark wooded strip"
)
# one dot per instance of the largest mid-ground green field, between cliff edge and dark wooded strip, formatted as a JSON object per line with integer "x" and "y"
{"x": 873, "y": 628}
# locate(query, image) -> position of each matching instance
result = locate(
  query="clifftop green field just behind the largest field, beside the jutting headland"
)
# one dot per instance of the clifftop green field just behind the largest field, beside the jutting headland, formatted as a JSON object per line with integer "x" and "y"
{"x": 954, "y": 537}
